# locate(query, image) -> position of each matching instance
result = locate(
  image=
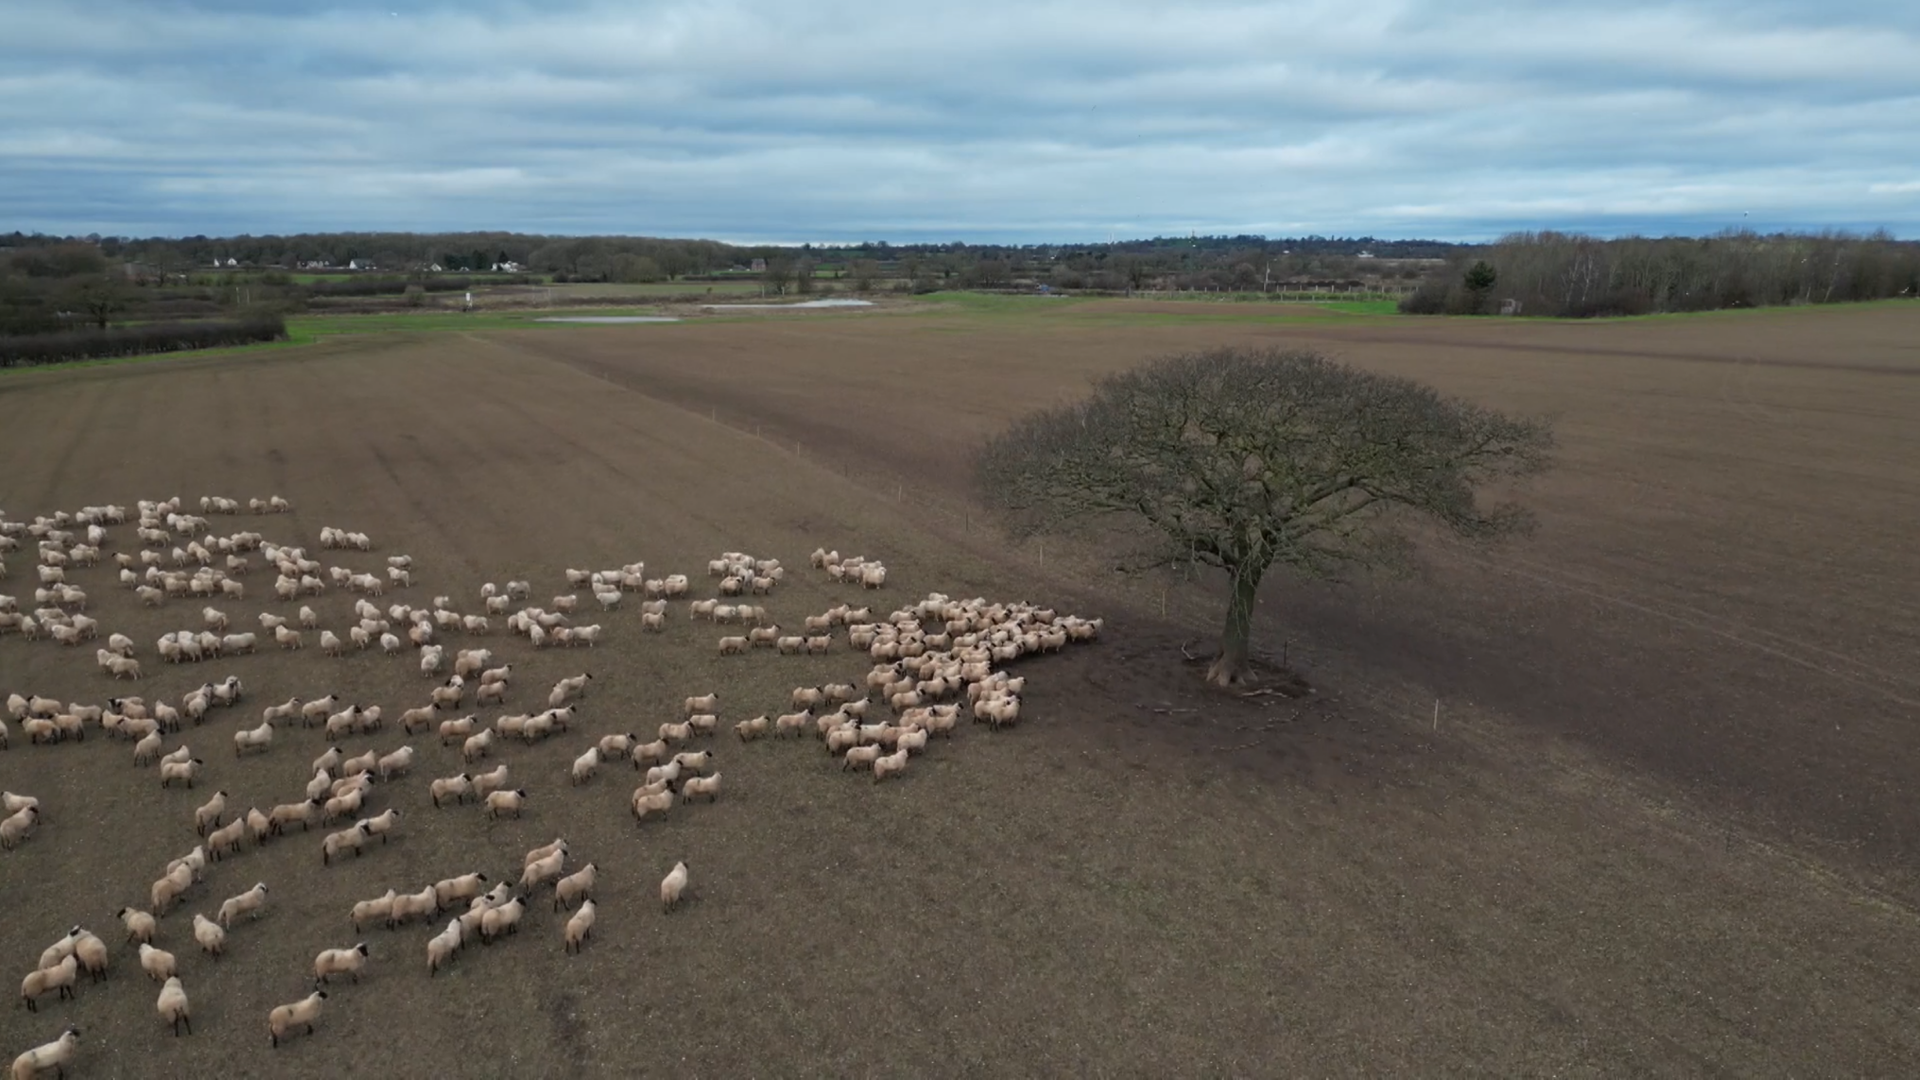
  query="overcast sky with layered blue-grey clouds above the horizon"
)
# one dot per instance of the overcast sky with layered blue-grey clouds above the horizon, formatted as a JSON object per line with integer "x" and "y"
{"x": 1032, "y": 120}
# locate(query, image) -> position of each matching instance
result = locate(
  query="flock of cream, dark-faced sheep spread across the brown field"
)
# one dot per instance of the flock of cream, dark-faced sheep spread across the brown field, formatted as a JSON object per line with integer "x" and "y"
{"x": 932, "y": 662}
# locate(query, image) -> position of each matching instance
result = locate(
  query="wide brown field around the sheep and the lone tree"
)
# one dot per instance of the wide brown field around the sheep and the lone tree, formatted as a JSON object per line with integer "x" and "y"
{"x": 1662, "y": 822}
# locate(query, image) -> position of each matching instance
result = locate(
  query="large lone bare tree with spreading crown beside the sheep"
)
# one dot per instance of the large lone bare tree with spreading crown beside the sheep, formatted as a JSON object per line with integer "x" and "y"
{"x": 1249, "y": 458}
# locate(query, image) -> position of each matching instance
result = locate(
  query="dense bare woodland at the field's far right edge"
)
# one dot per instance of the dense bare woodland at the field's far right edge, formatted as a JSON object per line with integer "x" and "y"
{"x": 1573, "y": 276}
